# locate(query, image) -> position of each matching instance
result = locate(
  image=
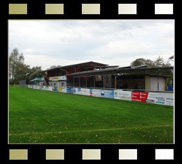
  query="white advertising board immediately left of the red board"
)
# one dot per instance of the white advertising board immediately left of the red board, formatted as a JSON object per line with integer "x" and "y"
{"x": 123, "y": 95}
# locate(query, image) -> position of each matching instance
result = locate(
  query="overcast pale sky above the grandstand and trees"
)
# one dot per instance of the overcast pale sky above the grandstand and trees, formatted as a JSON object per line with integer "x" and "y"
{"x": 114, "y": 42}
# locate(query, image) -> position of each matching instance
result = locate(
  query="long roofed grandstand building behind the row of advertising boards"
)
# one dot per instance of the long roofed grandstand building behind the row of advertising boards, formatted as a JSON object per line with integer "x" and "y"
{"x": 98, "y": 75}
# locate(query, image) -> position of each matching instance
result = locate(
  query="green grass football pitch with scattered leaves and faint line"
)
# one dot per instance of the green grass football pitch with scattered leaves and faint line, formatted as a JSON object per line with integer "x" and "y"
{"x": 37, "y": 116}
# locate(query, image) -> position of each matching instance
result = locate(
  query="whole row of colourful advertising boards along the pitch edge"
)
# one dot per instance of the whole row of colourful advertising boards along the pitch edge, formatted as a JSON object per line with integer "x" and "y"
{"x": 148, "y": 97}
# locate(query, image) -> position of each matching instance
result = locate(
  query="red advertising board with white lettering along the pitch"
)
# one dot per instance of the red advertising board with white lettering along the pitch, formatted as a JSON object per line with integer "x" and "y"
{"x": 139, "y": 96}
